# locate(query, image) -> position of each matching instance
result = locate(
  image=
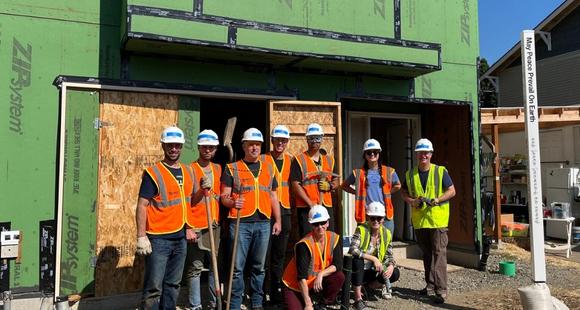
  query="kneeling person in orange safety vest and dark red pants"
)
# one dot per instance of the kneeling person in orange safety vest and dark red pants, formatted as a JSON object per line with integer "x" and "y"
{"x": 316, "y": 266}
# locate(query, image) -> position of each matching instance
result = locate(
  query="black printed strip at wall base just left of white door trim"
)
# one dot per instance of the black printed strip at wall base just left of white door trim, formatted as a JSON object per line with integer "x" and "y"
{"x": 47, "y": 252}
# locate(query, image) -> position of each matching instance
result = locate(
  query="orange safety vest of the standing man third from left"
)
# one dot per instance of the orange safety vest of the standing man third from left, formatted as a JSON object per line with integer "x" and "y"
{"x": 254, "y": 190}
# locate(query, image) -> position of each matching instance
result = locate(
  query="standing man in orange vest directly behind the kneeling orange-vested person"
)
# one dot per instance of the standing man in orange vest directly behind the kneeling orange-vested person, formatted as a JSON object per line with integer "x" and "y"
{"x": 313, "y": 179}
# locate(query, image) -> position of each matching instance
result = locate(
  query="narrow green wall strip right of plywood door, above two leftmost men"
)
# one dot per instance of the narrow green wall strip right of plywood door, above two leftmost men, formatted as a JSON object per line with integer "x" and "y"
{"x": 188, "y": 121}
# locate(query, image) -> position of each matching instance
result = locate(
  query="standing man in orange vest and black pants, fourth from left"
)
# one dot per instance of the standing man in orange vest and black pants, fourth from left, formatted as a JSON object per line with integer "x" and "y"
{"x": 281, "y": 162}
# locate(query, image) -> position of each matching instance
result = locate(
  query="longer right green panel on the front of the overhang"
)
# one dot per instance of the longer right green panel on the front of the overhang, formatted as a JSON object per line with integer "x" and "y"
{"x": 299, "y": 43}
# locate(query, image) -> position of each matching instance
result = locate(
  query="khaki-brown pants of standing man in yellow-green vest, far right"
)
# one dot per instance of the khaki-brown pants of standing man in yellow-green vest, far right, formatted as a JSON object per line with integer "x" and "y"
{"x": 433, "y": 244}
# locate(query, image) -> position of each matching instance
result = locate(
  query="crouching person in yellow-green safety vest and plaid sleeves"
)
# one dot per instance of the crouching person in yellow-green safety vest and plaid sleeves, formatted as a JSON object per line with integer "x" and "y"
{"x": 372, "y": 252}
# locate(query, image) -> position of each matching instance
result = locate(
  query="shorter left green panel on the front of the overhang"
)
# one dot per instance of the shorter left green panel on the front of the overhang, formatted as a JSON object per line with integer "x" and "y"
{"x": 179, "y": 28}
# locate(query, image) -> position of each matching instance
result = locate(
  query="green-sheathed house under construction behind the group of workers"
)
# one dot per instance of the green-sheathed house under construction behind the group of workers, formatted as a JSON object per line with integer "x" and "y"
{"x": 74, "y": 150}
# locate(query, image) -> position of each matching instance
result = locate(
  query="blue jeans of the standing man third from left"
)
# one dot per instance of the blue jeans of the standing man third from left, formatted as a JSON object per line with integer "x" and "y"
{"x": 252, "y": 245}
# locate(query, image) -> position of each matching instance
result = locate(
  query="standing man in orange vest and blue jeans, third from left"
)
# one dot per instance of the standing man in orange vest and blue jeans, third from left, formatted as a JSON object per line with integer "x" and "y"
{"x": 249, "y": 187}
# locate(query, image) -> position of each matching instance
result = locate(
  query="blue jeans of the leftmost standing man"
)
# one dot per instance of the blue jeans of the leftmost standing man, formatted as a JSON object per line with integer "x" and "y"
{"x": 163, "y": 270}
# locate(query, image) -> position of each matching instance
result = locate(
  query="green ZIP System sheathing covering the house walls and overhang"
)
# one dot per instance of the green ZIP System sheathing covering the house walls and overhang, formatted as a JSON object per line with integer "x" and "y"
{"x": 39, "y": 41}
